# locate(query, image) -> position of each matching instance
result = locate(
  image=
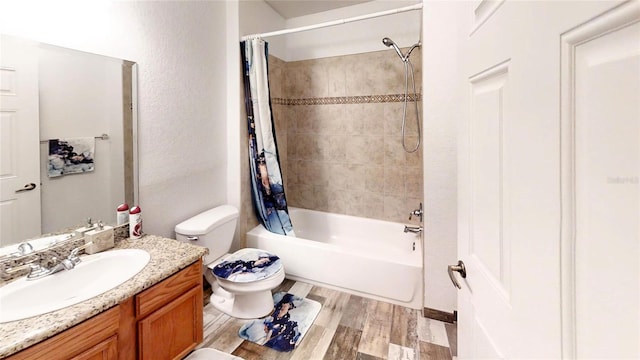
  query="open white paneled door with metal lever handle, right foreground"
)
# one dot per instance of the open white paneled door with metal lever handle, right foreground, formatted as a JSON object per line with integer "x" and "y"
{"x": 512, "y": 205}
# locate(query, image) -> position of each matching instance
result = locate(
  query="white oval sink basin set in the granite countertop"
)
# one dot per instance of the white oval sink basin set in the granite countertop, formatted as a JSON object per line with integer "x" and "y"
{"x": 96, "y": 274}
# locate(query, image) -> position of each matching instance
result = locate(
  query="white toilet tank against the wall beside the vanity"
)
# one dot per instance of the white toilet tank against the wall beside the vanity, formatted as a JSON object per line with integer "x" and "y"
{"x": 212, "y": 229}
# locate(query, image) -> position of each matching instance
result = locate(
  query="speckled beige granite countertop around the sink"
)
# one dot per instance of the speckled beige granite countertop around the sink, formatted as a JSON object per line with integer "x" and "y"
{"x": 168, "y": 256}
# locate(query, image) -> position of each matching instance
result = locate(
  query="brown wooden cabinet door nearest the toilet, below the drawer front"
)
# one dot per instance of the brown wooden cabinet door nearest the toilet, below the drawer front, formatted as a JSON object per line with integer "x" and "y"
{"x": 173, "y": 330}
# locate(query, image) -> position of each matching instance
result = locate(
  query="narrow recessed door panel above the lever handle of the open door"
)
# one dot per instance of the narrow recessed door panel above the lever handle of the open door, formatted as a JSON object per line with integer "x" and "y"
{"x": 487, "y": 243}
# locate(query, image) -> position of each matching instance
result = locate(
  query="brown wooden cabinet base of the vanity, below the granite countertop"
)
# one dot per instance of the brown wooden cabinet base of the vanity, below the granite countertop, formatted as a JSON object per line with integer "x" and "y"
{"x": 162, "y": 322}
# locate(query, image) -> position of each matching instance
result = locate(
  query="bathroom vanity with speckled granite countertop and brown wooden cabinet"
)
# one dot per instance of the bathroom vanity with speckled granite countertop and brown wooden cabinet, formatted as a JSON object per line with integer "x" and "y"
{"x": 157, "y": 314}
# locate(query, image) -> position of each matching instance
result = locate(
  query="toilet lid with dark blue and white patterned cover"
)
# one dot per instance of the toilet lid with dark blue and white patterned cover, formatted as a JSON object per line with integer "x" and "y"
{"x": 247, "y": 265}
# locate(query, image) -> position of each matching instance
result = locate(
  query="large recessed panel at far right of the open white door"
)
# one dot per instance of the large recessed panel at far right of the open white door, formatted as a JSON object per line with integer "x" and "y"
{"x": 601, "y": 240}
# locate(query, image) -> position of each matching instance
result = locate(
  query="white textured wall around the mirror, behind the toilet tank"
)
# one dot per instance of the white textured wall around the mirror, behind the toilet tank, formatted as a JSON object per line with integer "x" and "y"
{"x": 181, "y": 89}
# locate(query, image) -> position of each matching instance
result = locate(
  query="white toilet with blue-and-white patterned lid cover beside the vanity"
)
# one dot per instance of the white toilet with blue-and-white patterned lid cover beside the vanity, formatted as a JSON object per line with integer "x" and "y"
{"x": 241, "y": 282}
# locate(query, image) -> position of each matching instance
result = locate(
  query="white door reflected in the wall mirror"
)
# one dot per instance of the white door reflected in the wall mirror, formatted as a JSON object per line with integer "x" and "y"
{"x": 19, "y": 141}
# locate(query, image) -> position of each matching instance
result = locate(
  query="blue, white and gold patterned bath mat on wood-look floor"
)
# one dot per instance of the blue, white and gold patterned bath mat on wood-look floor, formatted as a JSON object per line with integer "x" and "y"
{"x": 285, "y": 327}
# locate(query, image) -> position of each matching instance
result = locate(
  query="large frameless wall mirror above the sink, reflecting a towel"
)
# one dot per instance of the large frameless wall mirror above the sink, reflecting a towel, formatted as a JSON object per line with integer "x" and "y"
{"x": 83, "y": 141}
